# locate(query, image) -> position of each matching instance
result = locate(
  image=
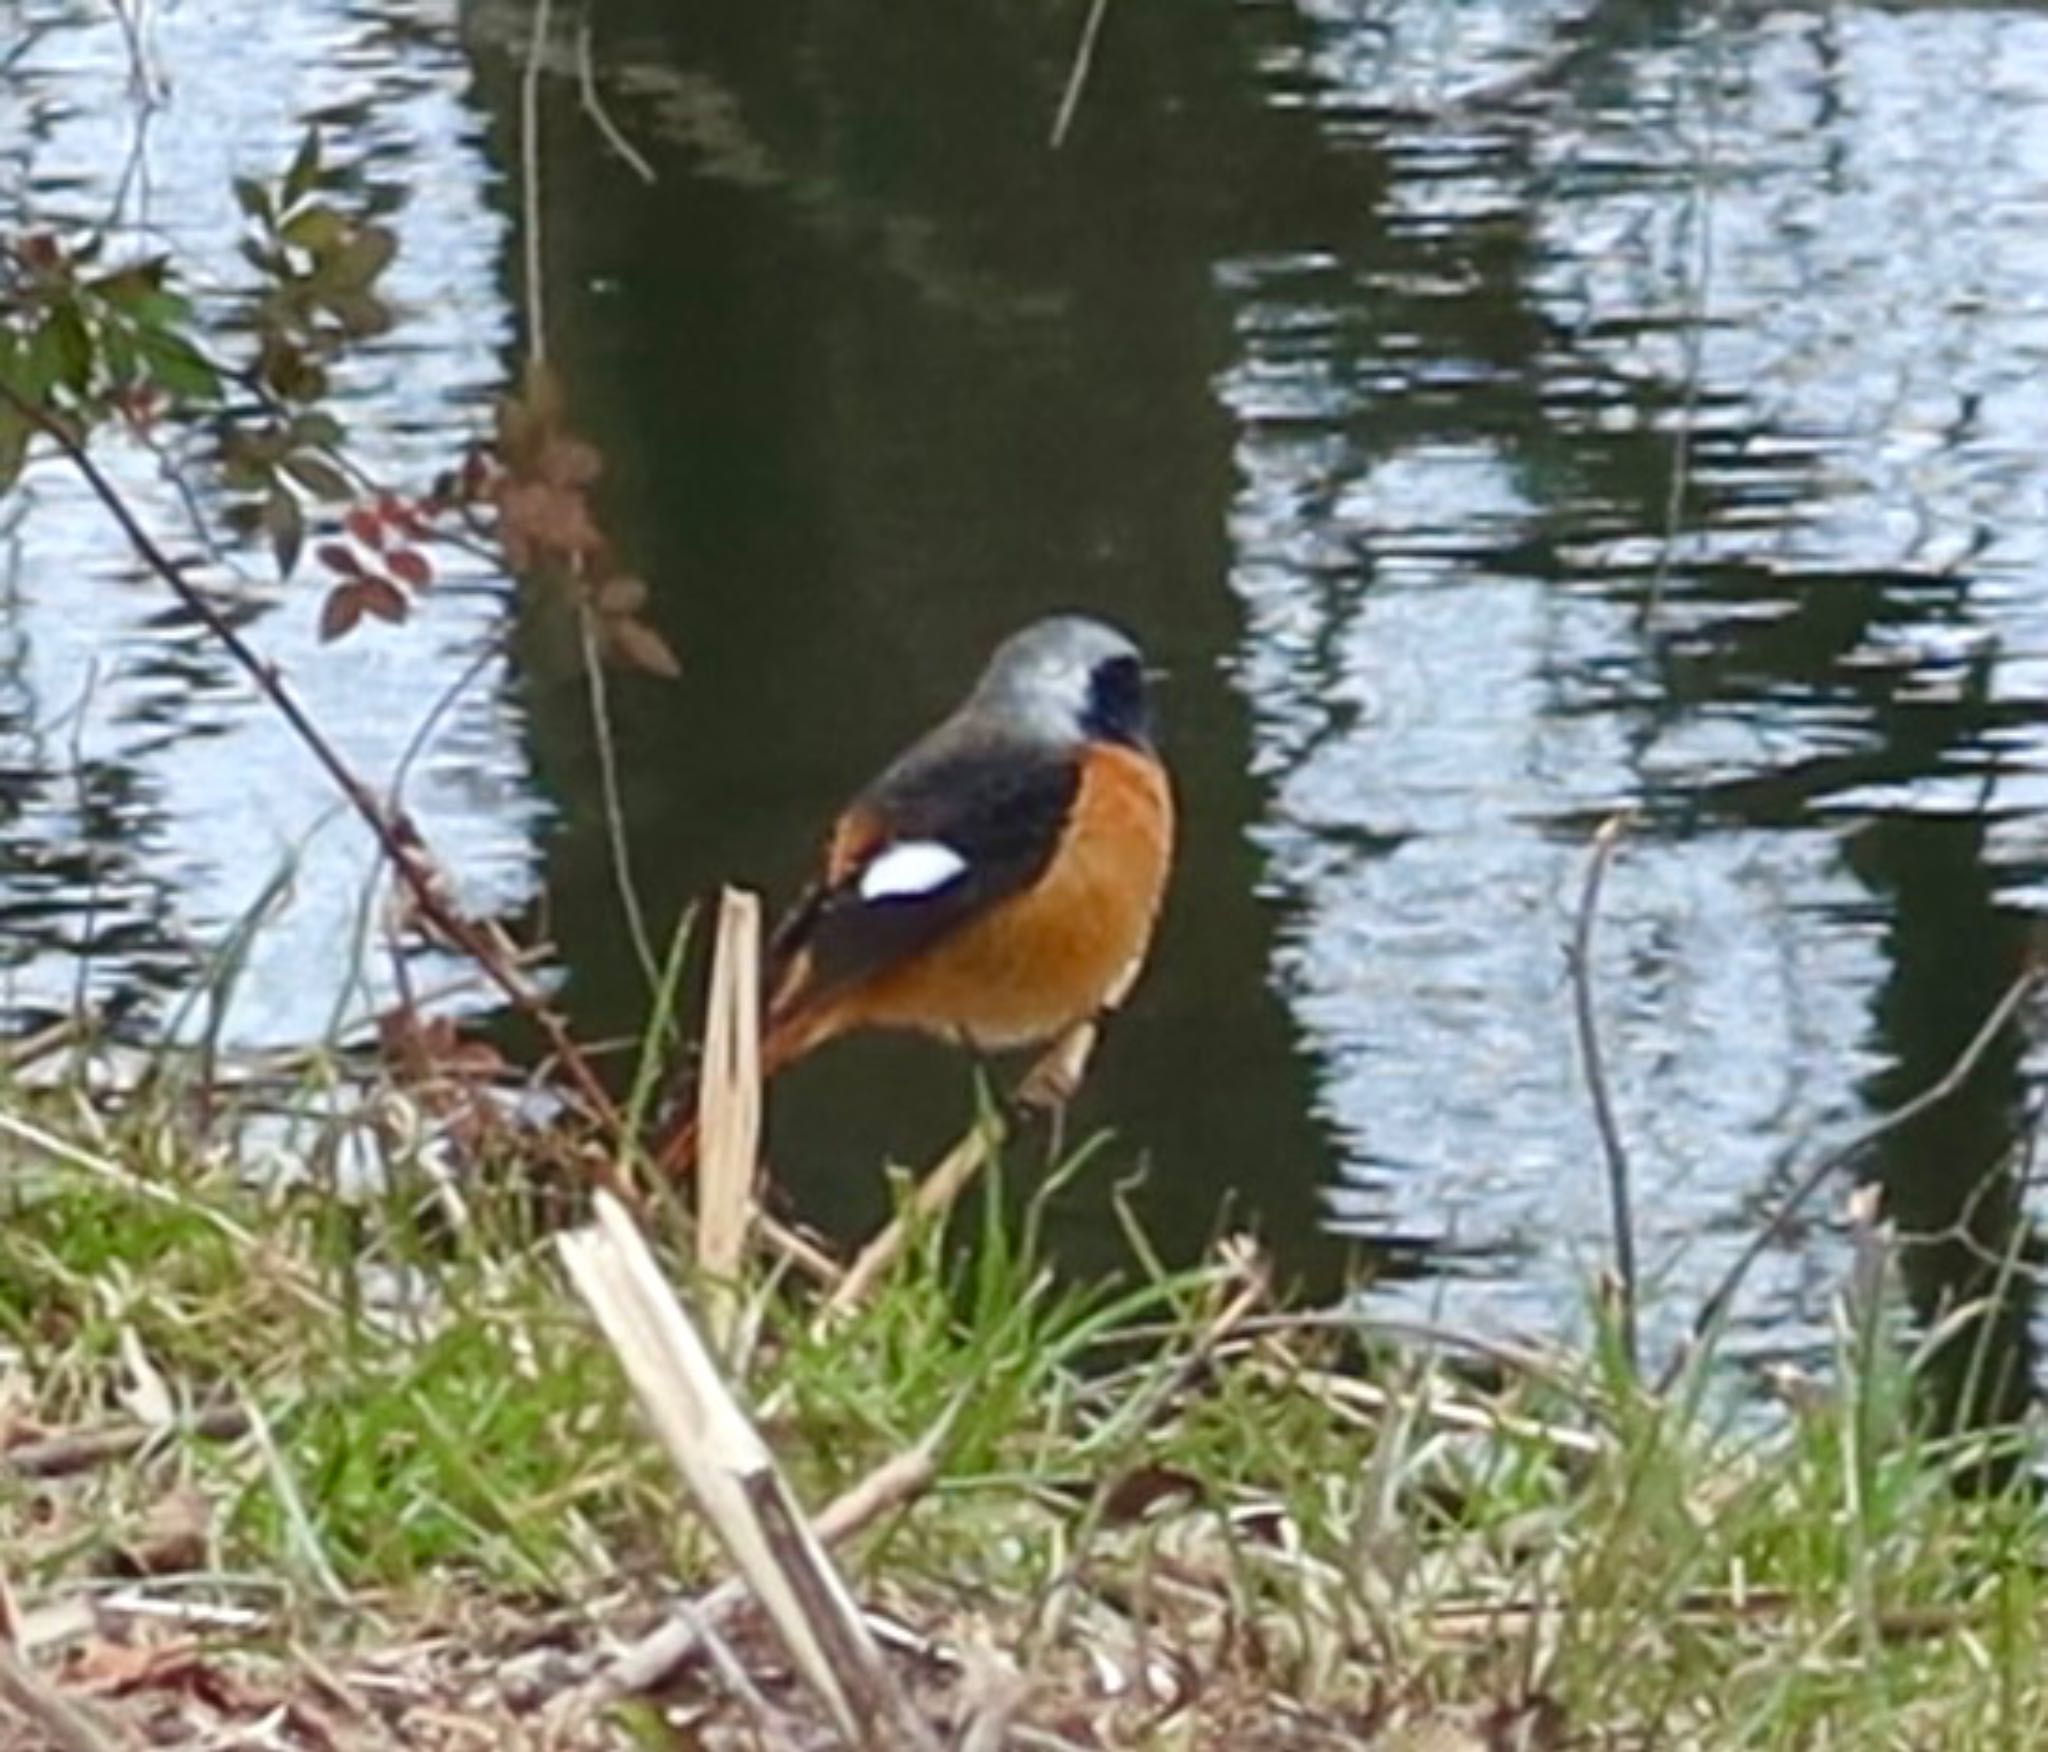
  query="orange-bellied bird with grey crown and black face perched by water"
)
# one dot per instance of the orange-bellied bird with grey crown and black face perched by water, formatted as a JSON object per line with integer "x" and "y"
{"x": 1000, "y": 882}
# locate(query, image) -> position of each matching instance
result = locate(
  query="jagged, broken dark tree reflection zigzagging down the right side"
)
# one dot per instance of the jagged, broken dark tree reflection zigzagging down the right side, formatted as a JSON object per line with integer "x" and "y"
{"x": 1588, "y": 429}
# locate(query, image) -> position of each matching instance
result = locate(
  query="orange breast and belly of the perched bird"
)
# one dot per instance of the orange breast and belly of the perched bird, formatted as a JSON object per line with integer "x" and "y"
{"x": 1066, "y": 948}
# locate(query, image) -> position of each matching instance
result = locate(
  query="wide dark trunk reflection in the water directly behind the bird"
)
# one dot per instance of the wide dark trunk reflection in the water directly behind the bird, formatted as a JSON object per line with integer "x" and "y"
{"x": 880, "y": 378}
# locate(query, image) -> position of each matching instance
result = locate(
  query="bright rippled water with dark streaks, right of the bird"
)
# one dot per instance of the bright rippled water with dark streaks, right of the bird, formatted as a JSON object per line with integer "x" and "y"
{"x": 1775, "y": 296}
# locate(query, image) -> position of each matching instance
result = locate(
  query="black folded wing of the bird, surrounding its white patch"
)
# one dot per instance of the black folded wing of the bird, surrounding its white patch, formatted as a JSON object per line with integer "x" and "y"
{"x": 1002, "y": 808}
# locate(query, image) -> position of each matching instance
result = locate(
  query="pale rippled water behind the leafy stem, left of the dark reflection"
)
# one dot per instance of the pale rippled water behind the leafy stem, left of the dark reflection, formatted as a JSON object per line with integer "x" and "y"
{"x": 151, "y": 804}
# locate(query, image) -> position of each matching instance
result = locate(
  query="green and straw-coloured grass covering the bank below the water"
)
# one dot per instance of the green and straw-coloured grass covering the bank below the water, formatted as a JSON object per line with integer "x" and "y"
{"x": 1306, "y": 1536}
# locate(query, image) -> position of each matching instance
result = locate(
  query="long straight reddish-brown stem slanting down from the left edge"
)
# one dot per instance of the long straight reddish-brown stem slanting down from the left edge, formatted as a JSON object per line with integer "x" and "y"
{"x": 394, "y": 833}
